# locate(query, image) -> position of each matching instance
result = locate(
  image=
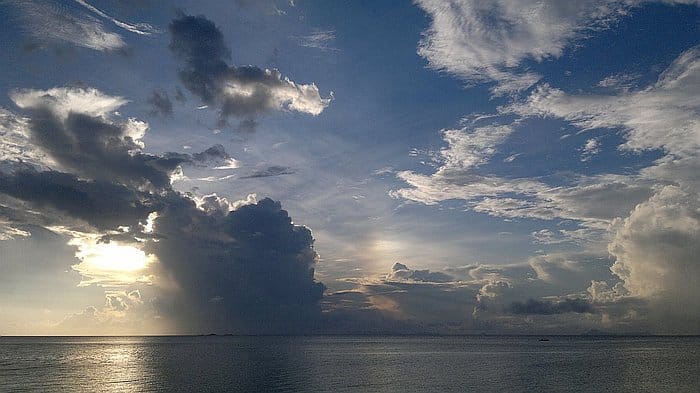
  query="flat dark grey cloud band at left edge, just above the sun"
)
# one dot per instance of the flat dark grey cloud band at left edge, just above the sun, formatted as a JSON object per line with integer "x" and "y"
{"x": 102, "y": 204}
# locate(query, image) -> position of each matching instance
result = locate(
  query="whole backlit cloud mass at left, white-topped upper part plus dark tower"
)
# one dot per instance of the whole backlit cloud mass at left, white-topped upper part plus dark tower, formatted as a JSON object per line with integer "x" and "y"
{"x": 211, "y": 264}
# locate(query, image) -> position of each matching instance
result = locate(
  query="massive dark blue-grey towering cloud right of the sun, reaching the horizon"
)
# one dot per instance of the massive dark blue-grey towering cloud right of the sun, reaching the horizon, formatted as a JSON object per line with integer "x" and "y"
{"x": 249, "y": 271}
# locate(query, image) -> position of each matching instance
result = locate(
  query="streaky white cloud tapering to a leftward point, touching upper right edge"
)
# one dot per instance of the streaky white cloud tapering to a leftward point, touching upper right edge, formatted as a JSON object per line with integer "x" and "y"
{"x": 661, "y": 116}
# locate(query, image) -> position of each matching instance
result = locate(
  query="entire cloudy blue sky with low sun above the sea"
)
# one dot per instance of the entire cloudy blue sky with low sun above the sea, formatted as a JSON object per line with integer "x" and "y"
{"x": 333, "y": 167}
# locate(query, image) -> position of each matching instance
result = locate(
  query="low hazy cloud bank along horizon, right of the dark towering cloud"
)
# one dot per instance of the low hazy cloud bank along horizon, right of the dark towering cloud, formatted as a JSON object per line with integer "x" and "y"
{"x": 545, "y": 295}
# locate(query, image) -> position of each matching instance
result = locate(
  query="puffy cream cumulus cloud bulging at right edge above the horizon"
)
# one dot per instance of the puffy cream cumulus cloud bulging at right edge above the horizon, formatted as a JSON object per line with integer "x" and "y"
{"x": 656, "y": 251}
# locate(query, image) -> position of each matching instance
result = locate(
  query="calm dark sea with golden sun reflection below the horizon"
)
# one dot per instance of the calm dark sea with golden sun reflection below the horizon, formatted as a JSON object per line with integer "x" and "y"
{"x": 350, "y": 364}
